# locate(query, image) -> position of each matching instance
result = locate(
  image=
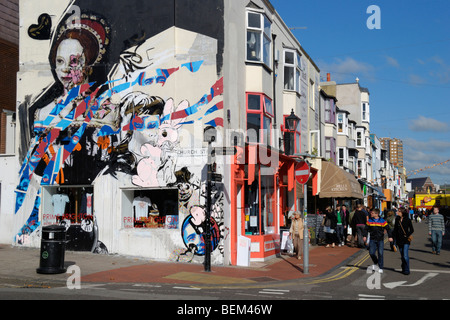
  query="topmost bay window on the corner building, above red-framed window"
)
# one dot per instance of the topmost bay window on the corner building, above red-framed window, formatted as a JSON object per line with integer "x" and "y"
{"x": 259, "y": 38}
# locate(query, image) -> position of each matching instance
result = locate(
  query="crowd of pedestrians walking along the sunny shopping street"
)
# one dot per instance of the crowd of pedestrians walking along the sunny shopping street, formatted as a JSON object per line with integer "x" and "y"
{"x": 364, "y": 228}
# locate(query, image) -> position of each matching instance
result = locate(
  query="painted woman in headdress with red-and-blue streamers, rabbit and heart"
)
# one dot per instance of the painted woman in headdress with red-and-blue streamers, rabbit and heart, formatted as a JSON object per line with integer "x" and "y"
{"x": 100, "y": 109}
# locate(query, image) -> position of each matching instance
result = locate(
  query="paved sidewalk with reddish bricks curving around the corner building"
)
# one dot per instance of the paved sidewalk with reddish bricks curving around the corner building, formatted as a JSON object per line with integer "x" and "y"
{"x": 18, "y": 265}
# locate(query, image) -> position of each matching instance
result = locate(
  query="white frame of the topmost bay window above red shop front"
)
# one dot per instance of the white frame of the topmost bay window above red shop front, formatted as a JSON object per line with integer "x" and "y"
{"x": 265, "y": 37}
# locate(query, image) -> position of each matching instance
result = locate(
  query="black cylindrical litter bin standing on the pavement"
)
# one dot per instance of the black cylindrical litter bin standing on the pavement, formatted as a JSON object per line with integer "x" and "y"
{"x": 53, "y": 248}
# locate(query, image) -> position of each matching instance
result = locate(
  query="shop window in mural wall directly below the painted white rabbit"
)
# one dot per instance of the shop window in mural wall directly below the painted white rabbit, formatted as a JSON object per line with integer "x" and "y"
{"x": 151, "y": 208}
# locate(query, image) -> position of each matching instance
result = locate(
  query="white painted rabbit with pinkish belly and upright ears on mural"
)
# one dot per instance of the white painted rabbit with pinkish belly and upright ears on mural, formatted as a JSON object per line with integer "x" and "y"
{"x": 157, "y": 168}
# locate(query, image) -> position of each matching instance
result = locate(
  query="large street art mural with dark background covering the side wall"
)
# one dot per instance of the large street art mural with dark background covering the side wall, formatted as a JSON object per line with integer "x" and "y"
{"x": 125, "y": 98}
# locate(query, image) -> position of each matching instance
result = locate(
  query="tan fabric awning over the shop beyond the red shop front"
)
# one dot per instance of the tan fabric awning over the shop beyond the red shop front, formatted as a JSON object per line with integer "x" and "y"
{"x": 338, "y": 183}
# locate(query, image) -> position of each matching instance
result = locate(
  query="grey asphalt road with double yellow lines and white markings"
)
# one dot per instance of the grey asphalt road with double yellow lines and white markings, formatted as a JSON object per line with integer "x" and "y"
{"x": 429, "y": 279}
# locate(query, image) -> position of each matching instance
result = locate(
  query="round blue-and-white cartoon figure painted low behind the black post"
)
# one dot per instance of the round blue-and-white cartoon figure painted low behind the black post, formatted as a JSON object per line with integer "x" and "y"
{"x": 193, "y": 231}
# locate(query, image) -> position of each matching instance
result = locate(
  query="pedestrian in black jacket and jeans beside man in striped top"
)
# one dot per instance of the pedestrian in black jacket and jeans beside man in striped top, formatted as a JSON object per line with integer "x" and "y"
{"x": 403, "y": 229}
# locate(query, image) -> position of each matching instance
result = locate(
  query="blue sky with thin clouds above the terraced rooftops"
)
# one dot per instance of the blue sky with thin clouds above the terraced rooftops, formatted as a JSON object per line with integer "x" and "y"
{"x": 405, "y": 65}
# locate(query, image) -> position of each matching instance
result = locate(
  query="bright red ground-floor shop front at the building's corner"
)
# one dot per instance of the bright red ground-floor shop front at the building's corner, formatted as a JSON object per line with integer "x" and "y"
{"x": 262, "y": 194}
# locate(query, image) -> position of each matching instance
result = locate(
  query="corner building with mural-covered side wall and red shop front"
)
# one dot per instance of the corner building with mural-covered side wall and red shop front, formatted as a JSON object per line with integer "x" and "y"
{"x": 113, "y": 100}
